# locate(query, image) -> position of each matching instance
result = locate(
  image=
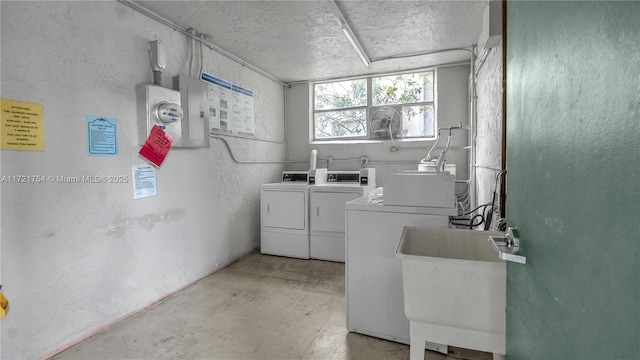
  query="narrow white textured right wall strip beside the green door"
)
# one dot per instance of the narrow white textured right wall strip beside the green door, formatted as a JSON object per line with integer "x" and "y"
{"x": 489, "y": 128}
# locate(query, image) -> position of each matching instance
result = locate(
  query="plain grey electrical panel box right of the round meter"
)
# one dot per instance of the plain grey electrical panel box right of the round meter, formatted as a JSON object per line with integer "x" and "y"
{"x": 194, "y": 100}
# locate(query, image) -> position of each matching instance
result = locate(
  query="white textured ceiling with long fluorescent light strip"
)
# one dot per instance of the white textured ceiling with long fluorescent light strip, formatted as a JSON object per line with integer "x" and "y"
{"x": 301, "y": 40}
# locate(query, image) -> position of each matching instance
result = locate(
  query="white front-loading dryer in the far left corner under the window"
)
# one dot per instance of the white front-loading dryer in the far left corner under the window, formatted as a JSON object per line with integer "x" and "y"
{"x": 284, "y": 213}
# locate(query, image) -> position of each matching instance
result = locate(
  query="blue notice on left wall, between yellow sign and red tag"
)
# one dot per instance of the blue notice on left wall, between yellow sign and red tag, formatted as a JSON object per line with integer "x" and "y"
{"x": 102, "y": 137}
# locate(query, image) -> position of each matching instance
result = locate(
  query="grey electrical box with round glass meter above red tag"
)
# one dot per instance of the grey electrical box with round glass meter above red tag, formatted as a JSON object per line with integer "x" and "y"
{"x": 159, "y": 106}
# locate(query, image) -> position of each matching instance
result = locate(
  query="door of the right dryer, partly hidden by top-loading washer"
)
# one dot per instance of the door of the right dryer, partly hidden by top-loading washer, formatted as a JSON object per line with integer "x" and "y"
{"x": 327, "y": 209}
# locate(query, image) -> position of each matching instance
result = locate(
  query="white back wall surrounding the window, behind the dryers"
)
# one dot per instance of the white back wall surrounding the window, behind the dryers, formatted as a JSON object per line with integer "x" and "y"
{"x": 451, "y": 107}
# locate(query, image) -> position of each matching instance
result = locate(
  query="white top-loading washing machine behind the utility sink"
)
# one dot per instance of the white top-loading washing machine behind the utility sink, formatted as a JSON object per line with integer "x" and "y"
{"x": 374, "y": 296}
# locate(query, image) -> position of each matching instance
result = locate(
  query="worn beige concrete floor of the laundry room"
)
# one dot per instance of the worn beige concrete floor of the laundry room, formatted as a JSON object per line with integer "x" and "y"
{"x": 260, "y": 307}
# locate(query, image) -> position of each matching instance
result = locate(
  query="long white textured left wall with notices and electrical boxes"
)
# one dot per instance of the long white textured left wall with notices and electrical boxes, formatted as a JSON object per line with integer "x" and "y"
{"x": 76, "y": 257}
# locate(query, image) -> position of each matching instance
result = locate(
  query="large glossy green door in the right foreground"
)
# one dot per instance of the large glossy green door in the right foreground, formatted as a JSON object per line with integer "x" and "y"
{"x": 573, "y": 182}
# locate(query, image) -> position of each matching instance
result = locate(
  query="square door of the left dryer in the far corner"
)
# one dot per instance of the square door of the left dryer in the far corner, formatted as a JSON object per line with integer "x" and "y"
{"x": 285, "y": 209}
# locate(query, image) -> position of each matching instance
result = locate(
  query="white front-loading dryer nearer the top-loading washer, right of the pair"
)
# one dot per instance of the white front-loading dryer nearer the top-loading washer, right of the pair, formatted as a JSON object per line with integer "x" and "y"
{"x": 327, "y": 210}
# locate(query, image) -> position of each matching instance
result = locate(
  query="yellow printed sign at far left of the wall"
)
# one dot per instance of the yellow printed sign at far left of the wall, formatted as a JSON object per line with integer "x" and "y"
{"x": 21, "y": 126}
